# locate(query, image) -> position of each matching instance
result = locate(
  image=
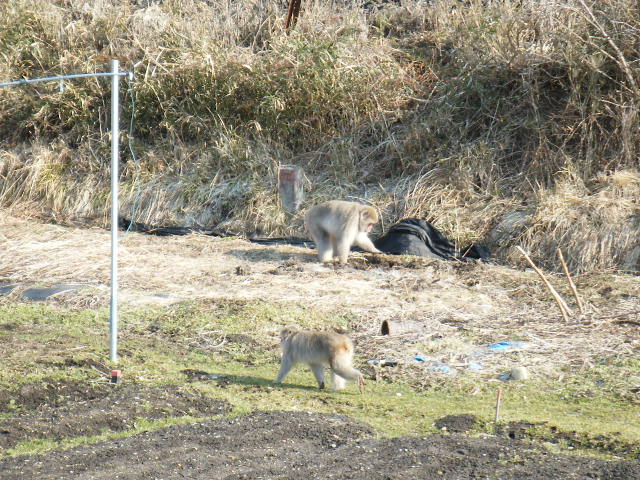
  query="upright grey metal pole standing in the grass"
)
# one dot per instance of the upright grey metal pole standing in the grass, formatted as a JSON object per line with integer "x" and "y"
{"x": 115, "y": 154}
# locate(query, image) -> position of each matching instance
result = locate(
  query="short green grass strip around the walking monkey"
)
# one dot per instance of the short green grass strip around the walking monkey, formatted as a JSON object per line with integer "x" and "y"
{"x": 161, "y": 345}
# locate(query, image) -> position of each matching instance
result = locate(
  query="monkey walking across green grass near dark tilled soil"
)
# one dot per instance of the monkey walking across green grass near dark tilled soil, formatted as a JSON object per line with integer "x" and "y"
{"x": 319, "y": 349}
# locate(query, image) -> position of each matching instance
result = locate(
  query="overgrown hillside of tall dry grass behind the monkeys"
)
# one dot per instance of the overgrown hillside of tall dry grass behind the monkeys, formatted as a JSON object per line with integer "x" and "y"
{"x": 462, "y": 112}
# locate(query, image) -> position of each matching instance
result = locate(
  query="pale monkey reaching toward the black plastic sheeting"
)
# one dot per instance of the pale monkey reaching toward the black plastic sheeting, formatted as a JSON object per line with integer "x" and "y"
{"x": 337, "y": 225}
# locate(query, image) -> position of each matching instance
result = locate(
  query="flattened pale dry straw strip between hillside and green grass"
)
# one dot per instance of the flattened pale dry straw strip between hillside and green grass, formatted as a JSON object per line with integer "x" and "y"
{"x": 460, "y": 308}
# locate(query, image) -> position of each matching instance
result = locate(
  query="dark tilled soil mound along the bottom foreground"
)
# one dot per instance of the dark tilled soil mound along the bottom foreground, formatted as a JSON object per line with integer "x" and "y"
{"x": 297, "y": 445}
